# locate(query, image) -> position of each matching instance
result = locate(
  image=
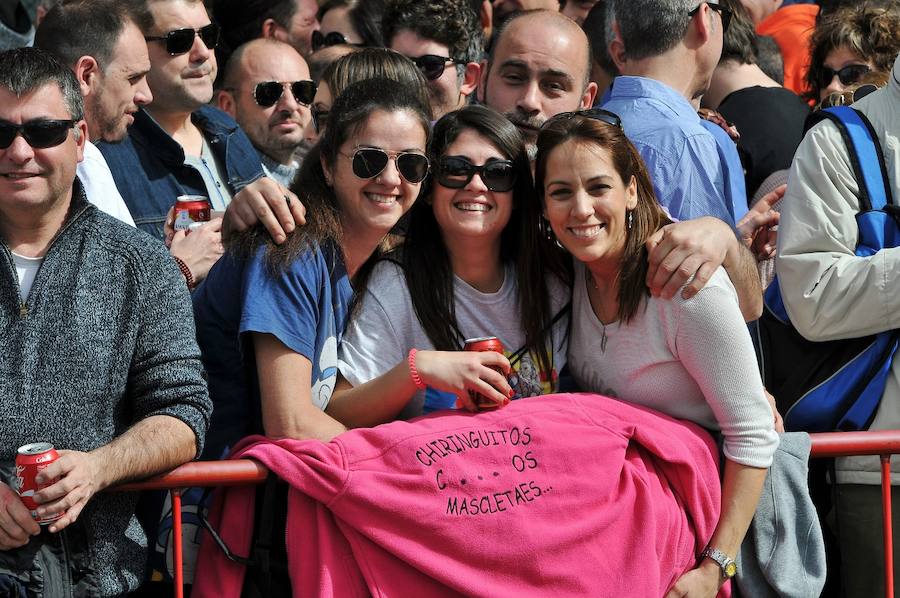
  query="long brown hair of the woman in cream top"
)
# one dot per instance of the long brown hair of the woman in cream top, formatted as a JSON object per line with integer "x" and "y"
{"x": 648, "y": 216}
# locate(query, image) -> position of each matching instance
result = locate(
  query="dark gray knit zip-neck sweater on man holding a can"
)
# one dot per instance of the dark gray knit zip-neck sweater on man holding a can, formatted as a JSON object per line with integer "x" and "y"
{"x": 105, "y": 338}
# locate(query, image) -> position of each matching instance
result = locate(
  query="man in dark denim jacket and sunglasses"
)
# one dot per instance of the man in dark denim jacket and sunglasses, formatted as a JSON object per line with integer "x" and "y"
{"x": 178, "y": 145}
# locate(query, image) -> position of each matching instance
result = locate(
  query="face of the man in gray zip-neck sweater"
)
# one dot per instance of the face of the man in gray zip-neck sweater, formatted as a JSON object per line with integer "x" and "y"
{"x": 37, "y": 179}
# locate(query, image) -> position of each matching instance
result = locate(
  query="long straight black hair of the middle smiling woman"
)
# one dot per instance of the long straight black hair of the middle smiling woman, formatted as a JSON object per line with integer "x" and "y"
{"x": 426, "y": 262}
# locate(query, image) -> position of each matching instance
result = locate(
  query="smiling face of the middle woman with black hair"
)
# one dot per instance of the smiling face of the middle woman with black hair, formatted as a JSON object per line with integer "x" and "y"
{"x": 474, "y": 211}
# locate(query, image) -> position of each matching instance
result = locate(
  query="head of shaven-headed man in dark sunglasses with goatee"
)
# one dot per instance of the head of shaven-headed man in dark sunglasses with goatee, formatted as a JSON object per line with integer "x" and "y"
{"x": 267, "y": 90}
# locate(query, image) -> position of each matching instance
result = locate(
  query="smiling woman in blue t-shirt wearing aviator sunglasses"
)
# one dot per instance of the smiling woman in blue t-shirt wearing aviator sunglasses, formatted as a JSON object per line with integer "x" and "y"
{"x": 269, "y": 317}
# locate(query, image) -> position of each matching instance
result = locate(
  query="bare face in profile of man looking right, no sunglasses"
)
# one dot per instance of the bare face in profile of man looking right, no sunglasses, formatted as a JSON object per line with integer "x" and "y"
{"x": 120, "y": 89}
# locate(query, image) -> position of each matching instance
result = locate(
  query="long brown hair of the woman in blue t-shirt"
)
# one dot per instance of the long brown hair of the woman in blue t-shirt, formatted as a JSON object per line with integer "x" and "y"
{"x": 349, "y": 114}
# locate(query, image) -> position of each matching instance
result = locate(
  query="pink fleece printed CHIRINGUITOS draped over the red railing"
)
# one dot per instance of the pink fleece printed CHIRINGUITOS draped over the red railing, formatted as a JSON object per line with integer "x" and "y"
{"x": 578, "y": 495}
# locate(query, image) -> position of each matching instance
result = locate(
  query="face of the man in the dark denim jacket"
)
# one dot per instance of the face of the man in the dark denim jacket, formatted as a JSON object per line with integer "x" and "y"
{"x": 184, "y": 82}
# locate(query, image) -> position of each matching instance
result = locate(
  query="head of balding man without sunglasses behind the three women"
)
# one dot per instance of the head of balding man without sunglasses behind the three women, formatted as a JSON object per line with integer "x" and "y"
{"x": 539, "y": 66}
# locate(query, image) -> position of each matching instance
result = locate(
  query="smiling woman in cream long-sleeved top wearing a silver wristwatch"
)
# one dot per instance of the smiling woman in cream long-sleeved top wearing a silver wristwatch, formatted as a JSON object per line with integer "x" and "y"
{"x": 689, "y": 358}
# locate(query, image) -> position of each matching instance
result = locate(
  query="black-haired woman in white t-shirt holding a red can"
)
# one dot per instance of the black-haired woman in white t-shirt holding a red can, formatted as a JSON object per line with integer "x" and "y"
{"x": 472, "y": 265}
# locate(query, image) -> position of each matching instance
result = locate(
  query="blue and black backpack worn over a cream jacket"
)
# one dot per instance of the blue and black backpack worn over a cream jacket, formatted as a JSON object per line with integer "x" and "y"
{"x": 836, "y": 385}
